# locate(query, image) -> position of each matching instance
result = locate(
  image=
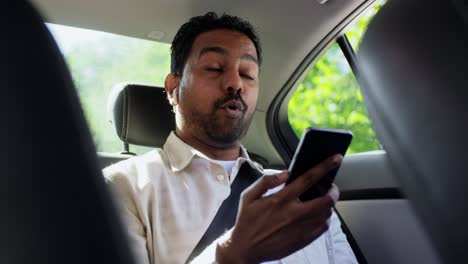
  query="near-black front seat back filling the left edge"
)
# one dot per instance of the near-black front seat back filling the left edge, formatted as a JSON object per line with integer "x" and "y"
{"x": 55, "y": 206}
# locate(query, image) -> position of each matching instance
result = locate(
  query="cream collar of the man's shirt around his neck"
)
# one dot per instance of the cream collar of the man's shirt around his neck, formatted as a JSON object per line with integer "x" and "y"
{"x": 180, "y": 154}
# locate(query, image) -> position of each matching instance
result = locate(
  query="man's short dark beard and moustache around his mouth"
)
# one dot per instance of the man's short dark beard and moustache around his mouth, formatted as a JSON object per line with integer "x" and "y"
{"x": 218, "y": 129}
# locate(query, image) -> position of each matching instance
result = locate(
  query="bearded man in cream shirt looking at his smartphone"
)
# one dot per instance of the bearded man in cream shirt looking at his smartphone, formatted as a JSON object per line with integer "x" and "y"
{"x": 176, "y": 198}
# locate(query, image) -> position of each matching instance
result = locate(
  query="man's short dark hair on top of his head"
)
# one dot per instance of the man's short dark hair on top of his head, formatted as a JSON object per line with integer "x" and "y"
{"x": 183, "y": 40}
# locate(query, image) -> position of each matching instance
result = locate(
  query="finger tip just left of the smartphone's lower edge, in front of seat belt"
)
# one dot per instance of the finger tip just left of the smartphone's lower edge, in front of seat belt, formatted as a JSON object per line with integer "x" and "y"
{"x": 262, "y": 185}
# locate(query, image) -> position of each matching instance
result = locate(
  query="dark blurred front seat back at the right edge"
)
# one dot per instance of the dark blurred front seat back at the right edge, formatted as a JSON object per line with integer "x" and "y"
{"x": 413, "y": 63}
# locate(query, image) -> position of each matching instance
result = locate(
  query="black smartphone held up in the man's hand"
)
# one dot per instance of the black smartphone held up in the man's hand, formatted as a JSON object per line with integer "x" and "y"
{"x": 316, "y": 145}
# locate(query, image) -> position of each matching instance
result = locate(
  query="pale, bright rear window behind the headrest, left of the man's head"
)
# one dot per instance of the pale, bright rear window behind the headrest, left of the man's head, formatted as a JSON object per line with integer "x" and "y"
{"x": 98, "y": 61}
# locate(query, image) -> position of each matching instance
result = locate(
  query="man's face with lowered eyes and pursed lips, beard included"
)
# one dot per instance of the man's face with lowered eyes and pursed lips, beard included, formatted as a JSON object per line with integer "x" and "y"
{"x": 219, "y": 88}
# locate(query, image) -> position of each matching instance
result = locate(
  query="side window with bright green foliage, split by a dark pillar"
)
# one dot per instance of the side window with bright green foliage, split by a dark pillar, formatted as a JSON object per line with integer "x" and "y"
{"x": 329, "y": 95}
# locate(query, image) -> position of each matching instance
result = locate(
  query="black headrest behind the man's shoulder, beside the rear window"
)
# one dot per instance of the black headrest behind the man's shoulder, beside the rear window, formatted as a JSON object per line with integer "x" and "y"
{"x": 141, "y": 114}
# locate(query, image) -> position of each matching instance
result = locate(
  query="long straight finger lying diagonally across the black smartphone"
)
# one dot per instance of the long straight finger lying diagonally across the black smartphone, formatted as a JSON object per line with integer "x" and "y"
{"x": 310, "y": 177}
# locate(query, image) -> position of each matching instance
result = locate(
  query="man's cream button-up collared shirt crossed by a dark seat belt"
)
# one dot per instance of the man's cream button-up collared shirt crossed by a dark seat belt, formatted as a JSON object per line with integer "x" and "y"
{"x": 170, "y": 197}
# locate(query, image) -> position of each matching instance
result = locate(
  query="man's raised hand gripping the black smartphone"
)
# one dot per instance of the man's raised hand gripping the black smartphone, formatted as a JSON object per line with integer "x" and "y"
{"x": 273, "y": 227}
